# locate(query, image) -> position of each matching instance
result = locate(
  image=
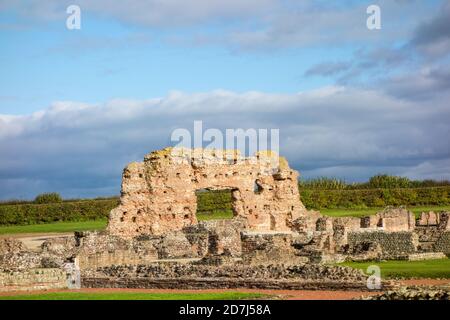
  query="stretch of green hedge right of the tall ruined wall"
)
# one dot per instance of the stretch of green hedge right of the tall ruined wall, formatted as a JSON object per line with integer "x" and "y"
{"x": 365, "y": 198}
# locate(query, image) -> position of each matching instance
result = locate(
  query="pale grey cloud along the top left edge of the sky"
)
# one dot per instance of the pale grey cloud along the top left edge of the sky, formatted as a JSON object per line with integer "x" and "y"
{"x": 153, "y": 13}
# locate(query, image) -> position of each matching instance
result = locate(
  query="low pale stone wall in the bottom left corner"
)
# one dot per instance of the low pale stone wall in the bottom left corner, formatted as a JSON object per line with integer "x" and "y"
{"x": 33, "y": 279}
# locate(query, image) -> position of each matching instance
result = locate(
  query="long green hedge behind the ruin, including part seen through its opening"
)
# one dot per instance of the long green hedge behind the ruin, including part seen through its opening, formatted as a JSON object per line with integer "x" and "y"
{"x": 214, "y": 201}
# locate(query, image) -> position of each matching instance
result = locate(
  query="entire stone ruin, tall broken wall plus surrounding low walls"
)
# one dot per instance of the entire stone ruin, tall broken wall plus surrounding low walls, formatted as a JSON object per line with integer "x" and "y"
{"x": 153, "y": 238}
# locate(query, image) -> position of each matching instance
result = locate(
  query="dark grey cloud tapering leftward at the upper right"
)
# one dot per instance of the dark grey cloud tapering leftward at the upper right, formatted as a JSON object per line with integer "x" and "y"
{"x": 416, "y": 69}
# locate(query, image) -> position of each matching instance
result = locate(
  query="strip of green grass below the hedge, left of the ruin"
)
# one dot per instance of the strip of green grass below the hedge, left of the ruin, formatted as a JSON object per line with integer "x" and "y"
{"x": 55, "y": 227}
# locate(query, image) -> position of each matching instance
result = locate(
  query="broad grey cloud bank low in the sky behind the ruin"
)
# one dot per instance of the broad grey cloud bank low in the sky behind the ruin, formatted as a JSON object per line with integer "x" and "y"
{"x": 79, "y": 149}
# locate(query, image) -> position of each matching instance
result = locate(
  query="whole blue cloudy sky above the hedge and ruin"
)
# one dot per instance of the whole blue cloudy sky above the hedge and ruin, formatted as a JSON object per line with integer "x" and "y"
{"x": 77, "y": 105}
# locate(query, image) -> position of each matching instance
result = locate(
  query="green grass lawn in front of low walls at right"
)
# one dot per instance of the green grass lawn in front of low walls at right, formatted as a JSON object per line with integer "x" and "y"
{"x": 408, "y": 269}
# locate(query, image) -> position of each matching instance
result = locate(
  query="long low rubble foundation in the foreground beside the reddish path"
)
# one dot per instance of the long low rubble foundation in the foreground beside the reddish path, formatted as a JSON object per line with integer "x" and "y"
{"x": 171, "y": 275}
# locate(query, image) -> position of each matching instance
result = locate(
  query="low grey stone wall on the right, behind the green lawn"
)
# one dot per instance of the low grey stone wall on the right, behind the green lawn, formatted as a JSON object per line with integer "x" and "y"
{"x": 393, "y": 244}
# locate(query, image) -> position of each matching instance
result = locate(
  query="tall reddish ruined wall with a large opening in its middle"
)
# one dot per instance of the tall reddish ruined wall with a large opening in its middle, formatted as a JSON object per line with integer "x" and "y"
{"x": 158, "y": 195}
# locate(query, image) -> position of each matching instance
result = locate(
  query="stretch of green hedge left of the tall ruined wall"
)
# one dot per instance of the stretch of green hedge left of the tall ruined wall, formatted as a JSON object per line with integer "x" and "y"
{"x": 22, "y": 214}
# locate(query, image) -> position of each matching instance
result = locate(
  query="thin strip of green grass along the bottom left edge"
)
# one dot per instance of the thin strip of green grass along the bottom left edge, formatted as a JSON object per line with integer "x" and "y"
{"x": 135, "y": 296}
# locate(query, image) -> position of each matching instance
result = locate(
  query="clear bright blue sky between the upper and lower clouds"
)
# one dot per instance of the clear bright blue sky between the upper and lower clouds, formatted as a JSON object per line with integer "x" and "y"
{"x": 106, "y": 60}
